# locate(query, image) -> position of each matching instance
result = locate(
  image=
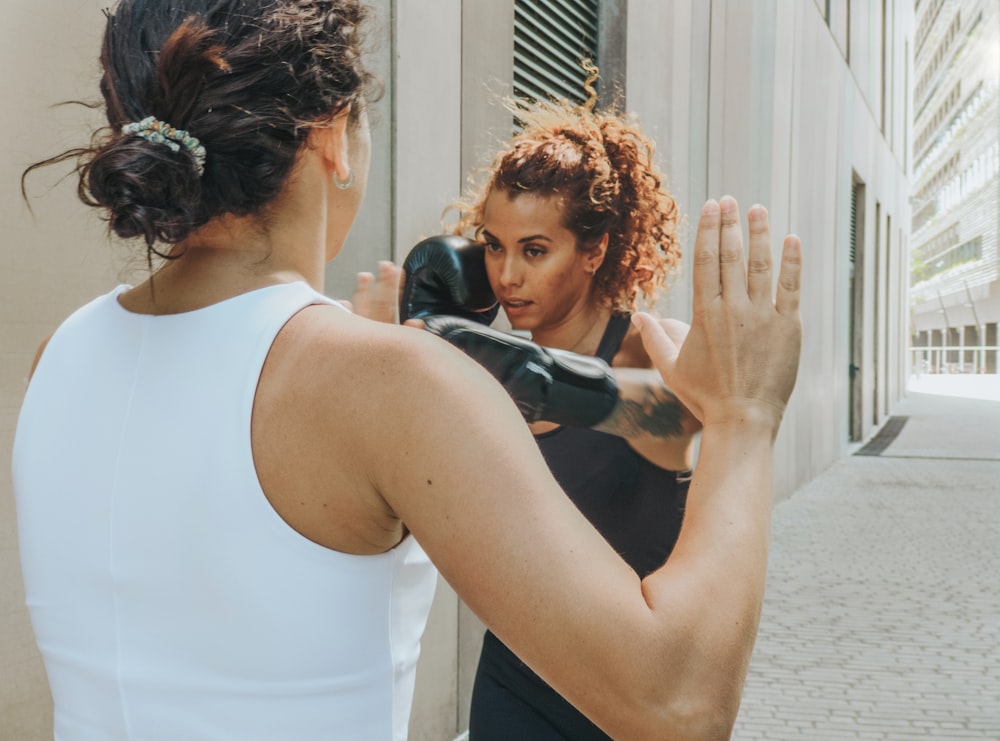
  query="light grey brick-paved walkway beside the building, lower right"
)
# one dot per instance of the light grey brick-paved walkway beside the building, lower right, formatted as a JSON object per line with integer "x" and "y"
{"x": 882, "y": 615}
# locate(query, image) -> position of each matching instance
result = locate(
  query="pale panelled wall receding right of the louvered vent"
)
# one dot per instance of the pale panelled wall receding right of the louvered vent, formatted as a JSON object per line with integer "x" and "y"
{"x": 759, "y": 100}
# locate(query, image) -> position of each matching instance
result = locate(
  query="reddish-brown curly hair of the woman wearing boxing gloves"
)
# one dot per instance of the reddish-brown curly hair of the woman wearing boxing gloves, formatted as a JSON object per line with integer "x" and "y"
{"x": 601, "y": 164}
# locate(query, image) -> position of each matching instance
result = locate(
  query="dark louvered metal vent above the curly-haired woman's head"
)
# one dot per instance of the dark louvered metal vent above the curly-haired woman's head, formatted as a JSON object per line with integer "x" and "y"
{"x": 550, "y": 39}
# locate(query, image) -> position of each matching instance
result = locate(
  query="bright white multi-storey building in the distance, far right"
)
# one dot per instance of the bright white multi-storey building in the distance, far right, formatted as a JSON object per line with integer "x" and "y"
{"x": 956, "y": 192}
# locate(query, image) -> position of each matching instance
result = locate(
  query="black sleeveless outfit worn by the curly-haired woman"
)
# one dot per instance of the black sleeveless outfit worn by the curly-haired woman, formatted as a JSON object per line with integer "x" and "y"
{"x": 637, "y": 507}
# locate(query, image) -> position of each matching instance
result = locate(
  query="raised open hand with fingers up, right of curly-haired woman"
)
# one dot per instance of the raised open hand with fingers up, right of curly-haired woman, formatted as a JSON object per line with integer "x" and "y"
{"x": 741, "y": 356}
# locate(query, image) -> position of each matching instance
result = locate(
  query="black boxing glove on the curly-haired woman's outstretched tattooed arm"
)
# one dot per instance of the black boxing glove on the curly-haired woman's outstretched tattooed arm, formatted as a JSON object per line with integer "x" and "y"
{"x": 554, "y": 385}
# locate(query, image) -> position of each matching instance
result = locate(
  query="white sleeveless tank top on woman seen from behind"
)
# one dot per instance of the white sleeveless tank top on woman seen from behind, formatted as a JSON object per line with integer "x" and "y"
{"x": 169, "y": 600}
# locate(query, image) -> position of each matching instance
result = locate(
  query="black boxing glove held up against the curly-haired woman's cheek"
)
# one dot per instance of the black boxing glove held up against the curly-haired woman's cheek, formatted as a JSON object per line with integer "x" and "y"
{"x": 447, "y": 275}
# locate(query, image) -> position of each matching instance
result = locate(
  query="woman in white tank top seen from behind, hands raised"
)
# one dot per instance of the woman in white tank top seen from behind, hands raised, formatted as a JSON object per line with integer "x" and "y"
{"x": 221, "y": 476}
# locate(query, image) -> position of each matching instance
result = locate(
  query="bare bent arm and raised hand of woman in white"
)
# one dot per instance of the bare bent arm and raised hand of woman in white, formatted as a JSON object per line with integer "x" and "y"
{"x": 666, "y": 657}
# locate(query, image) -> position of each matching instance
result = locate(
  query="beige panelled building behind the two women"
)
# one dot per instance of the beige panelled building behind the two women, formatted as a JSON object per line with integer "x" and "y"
{"x": 801, "y": 106}
